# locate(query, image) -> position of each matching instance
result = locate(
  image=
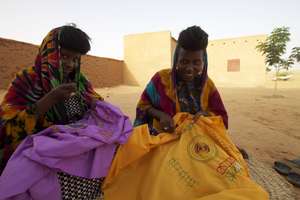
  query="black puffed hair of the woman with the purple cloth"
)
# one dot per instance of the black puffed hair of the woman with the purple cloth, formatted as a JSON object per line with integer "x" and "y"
{"x": 74, "y": 39}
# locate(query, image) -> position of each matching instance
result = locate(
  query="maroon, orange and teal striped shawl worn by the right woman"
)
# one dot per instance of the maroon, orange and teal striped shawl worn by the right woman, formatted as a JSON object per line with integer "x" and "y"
{"x": 167, "y": 94}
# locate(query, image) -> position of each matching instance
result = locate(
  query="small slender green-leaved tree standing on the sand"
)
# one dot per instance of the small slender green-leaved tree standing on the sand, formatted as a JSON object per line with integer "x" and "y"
{"x": 274, "y": 47}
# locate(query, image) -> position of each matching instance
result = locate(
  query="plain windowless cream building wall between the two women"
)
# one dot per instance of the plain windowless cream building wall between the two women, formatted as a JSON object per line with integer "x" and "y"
{"x": 144, "y": 55}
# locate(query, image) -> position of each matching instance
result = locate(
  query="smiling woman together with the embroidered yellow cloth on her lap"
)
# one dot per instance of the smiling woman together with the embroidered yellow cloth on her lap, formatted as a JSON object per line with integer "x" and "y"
{"x": 197, "y": 161}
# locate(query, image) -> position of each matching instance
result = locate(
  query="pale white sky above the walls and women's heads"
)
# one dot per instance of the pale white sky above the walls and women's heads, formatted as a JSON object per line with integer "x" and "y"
{"x": 107, "y": 21}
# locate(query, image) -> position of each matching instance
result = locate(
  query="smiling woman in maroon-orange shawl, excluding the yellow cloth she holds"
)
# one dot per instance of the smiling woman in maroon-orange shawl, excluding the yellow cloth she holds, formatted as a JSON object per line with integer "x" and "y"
{"x": 184, "y": 88}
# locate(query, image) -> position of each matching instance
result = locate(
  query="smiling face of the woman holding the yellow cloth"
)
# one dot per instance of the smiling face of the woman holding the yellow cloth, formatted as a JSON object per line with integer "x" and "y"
{"x": 189, "y": 64}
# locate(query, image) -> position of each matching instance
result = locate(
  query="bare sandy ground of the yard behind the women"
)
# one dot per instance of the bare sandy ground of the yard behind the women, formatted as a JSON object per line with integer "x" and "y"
{"x": 266, "y": 126}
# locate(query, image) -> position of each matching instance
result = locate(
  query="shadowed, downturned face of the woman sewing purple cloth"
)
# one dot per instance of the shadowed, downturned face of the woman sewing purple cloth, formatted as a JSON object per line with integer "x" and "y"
{"x": 70, "y": 61}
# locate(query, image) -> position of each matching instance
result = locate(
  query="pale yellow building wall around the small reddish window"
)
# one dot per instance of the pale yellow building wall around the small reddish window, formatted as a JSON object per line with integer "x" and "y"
{"x": 251, "y": 71}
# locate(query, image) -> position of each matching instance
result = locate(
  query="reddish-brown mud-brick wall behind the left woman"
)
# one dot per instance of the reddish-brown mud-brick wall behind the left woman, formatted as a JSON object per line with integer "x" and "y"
{"x": 15, "y": 55}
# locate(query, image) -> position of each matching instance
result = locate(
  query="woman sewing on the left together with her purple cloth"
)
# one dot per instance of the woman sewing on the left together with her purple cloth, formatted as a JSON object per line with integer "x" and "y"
{"x": 53, "y": 122}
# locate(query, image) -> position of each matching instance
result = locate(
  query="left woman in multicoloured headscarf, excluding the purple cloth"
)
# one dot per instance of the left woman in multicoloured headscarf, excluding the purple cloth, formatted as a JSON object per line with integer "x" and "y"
{"x": 40, "y": 95}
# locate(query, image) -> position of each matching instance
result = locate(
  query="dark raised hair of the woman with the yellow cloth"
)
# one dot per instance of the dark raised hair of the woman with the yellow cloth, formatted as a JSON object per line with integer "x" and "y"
{"x": 193, "y": 38}
